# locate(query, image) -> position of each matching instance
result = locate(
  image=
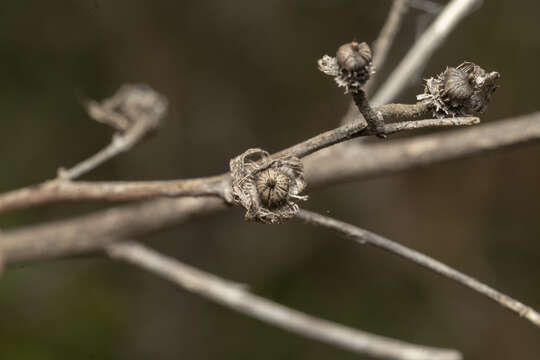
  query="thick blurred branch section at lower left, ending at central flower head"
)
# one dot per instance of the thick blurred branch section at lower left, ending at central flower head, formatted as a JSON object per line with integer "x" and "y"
{"x": 90, "y": 232}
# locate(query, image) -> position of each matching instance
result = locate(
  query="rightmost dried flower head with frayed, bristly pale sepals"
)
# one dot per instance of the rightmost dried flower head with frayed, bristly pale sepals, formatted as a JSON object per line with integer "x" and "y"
{"x": 464, "y": 90}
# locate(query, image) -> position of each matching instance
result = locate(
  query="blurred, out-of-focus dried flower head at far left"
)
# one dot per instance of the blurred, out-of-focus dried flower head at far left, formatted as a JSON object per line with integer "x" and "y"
{"x": 131, "y": 105}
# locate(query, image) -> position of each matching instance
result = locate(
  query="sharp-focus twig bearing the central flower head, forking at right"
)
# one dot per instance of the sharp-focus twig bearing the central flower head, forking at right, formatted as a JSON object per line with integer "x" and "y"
{"x": 65, "y": 190}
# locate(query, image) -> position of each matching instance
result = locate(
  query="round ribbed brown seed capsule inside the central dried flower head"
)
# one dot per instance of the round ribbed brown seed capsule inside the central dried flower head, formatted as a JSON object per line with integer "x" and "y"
{"x": 272, "y": 187}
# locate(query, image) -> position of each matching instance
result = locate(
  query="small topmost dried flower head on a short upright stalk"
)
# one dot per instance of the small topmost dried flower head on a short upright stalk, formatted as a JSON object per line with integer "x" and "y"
{"x": 352, "y": 66}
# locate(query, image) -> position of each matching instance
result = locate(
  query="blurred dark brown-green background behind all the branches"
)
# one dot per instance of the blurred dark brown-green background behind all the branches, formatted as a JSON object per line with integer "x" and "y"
{"x": 242, "y": 74}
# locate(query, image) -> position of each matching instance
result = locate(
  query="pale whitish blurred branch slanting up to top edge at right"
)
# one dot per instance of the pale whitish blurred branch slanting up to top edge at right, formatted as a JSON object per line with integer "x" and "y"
{"x": 423, "y": 49}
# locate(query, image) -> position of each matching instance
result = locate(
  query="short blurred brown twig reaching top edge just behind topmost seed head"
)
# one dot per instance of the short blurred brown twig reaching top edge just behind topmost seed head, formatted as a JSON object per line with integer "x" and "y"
{"x": 386, "y": 37}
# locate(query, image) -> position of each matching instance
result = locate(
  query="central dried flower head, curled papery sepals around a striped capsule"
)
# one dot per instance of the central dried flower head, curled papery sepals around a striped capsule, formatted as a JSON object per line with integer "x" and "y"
{"x": 267, "y": 187}
